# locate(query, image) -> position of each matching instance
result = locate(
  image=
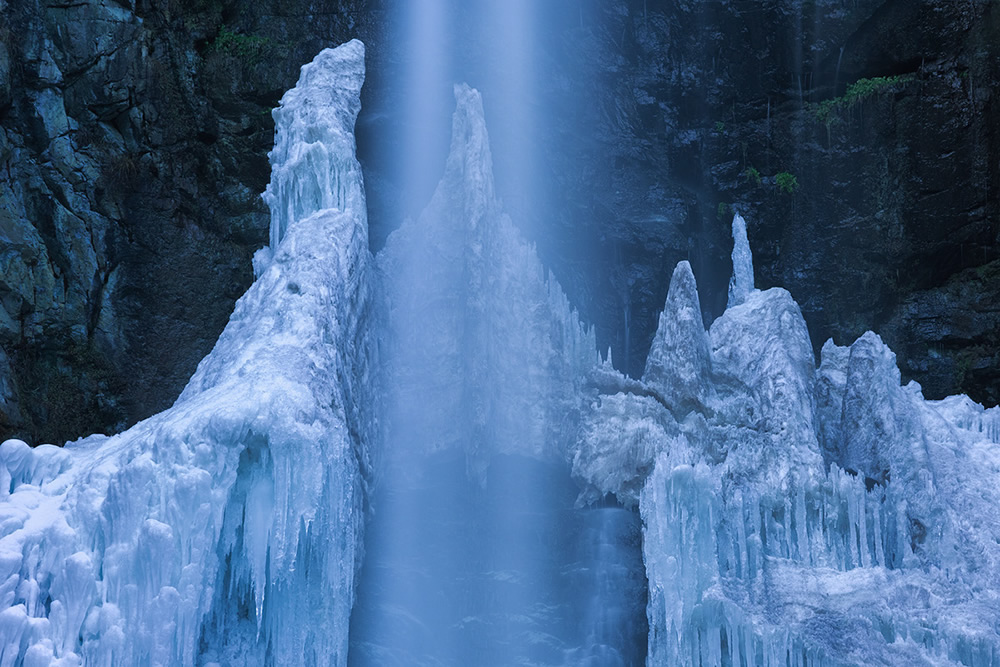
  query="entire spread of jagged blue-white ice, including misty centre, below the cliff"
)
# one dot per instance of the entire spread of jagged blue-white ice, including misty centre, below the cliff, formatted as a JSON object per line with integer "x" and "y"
{"x": 420, "y": 459}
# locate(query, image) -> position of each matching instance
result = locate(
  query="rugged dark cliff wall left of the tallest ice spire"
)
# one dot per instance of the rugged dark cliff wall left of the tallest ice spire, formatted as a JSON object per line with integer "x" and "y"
{"x": 133, "y": 147}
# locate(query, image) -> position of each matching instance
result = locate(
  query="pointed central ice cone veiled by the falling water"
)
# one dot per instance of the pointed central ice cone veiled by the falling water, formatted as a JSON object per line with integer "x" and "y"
{"x": 484, "y": 351}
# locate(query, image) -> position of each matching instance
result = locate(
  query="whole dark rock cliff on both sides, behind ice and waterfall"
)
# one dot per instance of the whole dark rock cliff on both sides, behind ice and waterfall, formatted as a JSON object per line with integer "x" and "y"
{"x": 858, "y": 137}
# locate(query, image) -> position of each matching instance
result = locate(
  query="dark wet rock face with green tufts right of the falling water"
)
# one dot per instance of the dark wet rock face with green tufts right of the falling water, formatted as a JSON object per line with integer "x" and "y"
{"x": 858, "y": 139}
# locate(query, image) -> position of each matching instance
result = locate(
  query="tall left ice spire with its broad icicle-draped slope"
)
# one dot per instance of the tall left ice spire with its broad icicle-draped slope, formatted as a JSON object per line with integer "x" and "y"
{"x": 227, "y": 527}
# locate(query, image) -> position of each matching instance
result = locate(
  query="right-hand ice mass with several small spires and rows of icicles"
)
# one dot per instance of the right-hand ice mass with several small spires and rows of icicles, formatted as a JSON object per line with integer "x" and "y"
{"x": 794, "y": 515}
